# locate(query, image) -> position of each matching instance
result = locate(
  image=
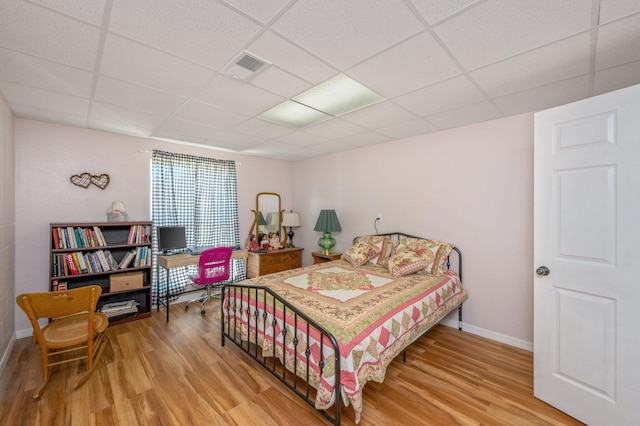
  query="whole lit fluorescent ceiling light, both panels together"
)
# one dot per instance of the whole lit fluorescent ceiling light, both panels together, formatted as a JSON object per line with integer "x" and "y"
{"x": 336, "y": 96}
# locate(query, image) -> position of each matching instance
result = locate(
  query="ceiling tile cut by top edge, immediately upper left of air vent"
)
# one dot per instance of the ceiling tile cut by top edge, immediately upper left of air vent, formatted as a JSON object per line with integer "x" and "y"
{"x": 206, "y": 32}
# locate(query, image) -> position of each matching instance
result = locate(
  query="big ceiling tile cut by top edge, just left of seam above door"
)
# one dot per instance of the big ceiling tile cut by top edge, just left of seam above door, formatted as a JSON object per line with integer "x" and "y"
{"x": 497, "y": 29}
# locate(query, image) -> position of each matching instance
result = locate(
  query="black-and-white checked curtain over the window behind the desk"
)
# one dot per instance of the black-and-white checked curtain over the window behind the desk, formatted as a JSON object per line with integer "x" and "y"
{"x": 200, "y": 194}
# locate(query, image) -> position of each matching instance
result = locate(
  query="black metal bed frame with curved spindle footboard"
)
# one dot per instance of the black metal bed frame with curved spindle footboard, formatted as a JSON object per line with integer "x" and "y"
{"x": 291, "y": 376}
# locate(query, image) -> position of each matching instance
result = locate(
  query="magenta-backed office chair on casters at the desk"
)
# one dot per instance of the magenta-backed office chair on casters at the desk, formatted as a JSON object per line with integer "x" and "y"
{"x": 213, "y": 268}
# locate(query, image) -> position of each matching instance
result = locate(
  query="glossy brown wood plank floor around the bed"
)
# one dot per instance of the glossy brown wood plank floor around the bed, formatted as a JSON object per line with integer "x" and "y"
{"x": 154, "y": 373}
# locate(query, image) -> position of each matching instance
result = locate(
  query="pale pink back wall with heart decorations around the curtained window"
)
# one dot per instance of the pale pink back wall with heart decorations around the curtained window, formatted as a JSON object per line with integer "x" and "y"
{"x": 48, "y": 154}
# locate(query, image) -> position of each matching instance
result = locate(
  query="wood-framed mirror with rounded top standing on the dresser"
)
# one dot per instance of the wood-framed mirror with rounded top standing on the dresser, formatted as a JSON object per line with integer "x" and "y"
{"x": 267, "y": 219}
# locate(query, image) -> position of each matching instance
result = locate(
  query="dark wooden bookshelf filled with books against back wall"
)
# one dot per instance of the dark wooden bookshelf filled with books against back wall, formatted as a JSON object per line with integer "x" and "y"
{"x": 78, "y": 252}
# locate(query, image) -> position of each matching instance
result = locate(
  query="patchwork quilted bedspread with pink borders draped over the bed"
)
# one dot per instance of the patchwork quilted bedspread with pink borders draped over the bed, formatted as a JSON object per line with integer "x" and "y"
{"x": 372, "y": 315}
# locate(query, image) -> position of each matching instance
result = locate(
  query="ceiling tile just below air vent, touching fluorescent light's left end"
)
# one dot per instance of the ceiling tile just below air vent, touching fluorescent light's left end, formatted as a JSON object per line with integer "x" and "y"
{"x": 238, "y": 96}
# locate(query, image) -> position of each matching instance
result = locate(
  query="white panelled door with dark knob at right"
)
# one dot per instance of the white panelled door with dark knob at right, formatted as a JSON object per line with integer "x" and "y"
{"x": 587, "y": 234}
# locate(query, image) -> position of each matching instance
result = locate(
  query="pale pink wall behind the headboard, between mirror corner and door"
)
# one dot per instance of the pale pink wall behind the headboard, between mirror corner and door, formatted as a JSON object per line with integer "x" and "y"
{"x": 472, "y": 186}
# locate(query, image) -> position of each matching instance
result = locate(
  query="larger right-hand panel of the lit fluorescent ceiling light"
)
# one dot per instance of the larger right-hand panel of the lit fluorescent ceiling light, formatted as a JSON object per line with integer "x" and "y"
{"x": 338, "y": 95}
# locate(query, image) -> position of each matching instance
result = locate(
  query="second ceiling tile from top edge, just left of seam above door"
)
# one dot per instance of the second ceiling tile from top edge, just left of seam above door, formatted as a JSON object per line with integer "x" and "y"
{"x": 557, "y": 61}
